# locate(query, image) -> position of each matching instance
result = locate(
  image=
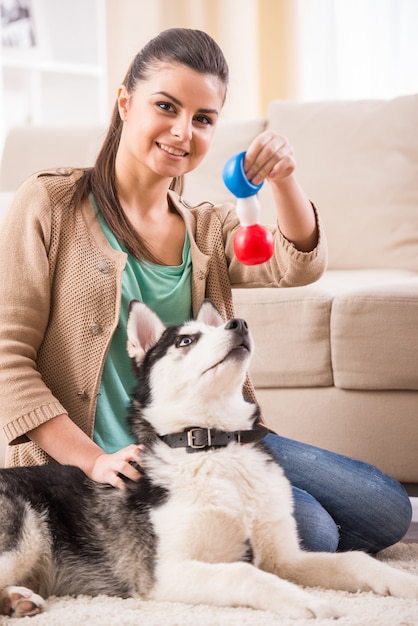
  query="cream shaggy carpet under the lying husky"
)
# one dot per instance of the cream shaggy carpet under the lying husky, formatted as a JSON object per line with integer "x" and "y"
{"x": 361, "y": 609}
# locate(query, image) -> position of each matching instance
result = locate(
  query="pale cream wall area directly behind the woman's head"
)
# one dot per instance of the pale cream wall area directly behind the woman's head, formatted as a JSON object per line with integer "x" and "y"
{"x": 232, "y": 23}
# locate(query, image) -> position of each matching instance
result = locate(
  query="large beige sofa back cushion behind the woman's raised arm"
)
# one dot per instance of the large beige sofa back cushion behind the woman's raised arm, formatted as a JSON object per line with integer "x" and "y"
{"x": 358, "y": 161}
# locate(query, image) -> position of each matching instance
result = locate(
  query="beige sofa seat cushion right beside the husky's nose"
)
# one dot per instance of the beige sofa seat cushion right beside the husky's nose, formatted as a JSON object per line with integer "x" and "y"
{"x": 291, "y": 333}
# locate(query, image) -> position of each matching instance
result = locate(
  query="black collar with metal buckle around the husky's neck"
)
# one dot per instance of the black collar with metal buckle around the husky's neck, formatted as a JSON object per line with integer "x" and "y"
{"x": 201, "y": 439}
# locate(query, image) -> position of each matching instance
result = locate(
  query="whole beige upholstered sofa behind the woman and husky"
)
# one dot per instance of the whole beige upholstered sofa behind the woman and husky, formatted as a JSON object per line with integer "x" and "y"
{"x": 336, "y": 362}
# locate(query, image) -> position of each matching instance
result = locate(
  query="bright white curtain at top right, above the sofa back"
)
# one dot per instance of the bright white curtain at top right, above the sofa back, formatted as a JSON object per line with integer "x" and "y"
{"x": 351, "y": 49}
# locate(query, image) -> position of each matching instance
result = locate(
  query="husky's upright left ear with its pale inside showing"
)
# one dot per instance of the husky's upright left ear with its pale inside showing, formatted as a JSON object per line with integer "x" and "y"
{"x": 144, "y": 328}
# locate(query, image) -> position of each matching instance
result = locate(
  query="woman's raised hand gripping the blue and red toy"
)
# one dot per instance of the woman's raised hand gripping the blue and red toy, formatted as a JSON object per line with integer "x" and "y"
{"x": 269, "y": 156}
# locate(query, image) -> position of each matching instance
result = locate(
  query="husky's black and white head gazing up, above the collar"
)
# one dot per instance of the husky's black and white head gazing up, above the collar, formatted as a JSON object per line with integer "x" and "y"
{"x": 195, "y": 370}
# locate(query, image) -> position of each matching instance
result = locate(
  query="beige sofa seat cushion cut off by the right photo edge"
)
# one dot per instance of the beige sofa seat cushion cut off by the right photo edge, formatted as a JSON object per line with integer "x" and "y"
{"x": 374, "y": 338}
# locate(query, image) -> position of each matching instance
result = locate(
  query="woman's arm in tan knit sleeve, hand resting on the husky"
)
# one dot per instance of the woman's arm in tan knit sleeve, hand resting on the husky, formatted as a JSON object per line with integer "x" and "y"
{"x": 29, "y": 407}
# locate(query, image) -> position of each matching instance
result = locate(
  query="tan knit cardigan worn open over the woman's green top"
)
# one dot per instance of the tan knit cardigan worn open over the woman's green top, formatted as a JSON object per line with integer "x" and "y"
{"x": 60, "y": 293}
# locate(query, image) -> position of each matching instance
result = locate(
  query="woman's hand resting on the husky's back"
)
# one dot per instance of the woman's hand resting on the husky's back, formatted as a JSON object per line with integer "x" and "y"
{"x": 114, "y": 469}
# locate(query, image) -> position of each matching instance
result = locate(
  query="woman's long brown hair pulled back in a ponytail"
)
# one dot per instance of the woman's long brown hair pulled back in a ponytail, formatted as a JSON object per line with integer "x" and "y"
{"x": 192, "y": 48}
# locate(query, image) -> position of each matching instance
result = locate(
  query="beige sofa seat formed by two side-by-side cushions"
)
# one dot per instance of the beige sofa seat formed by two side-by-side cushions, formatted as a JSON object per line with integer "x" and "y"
{"x": 351, "y": 329}
